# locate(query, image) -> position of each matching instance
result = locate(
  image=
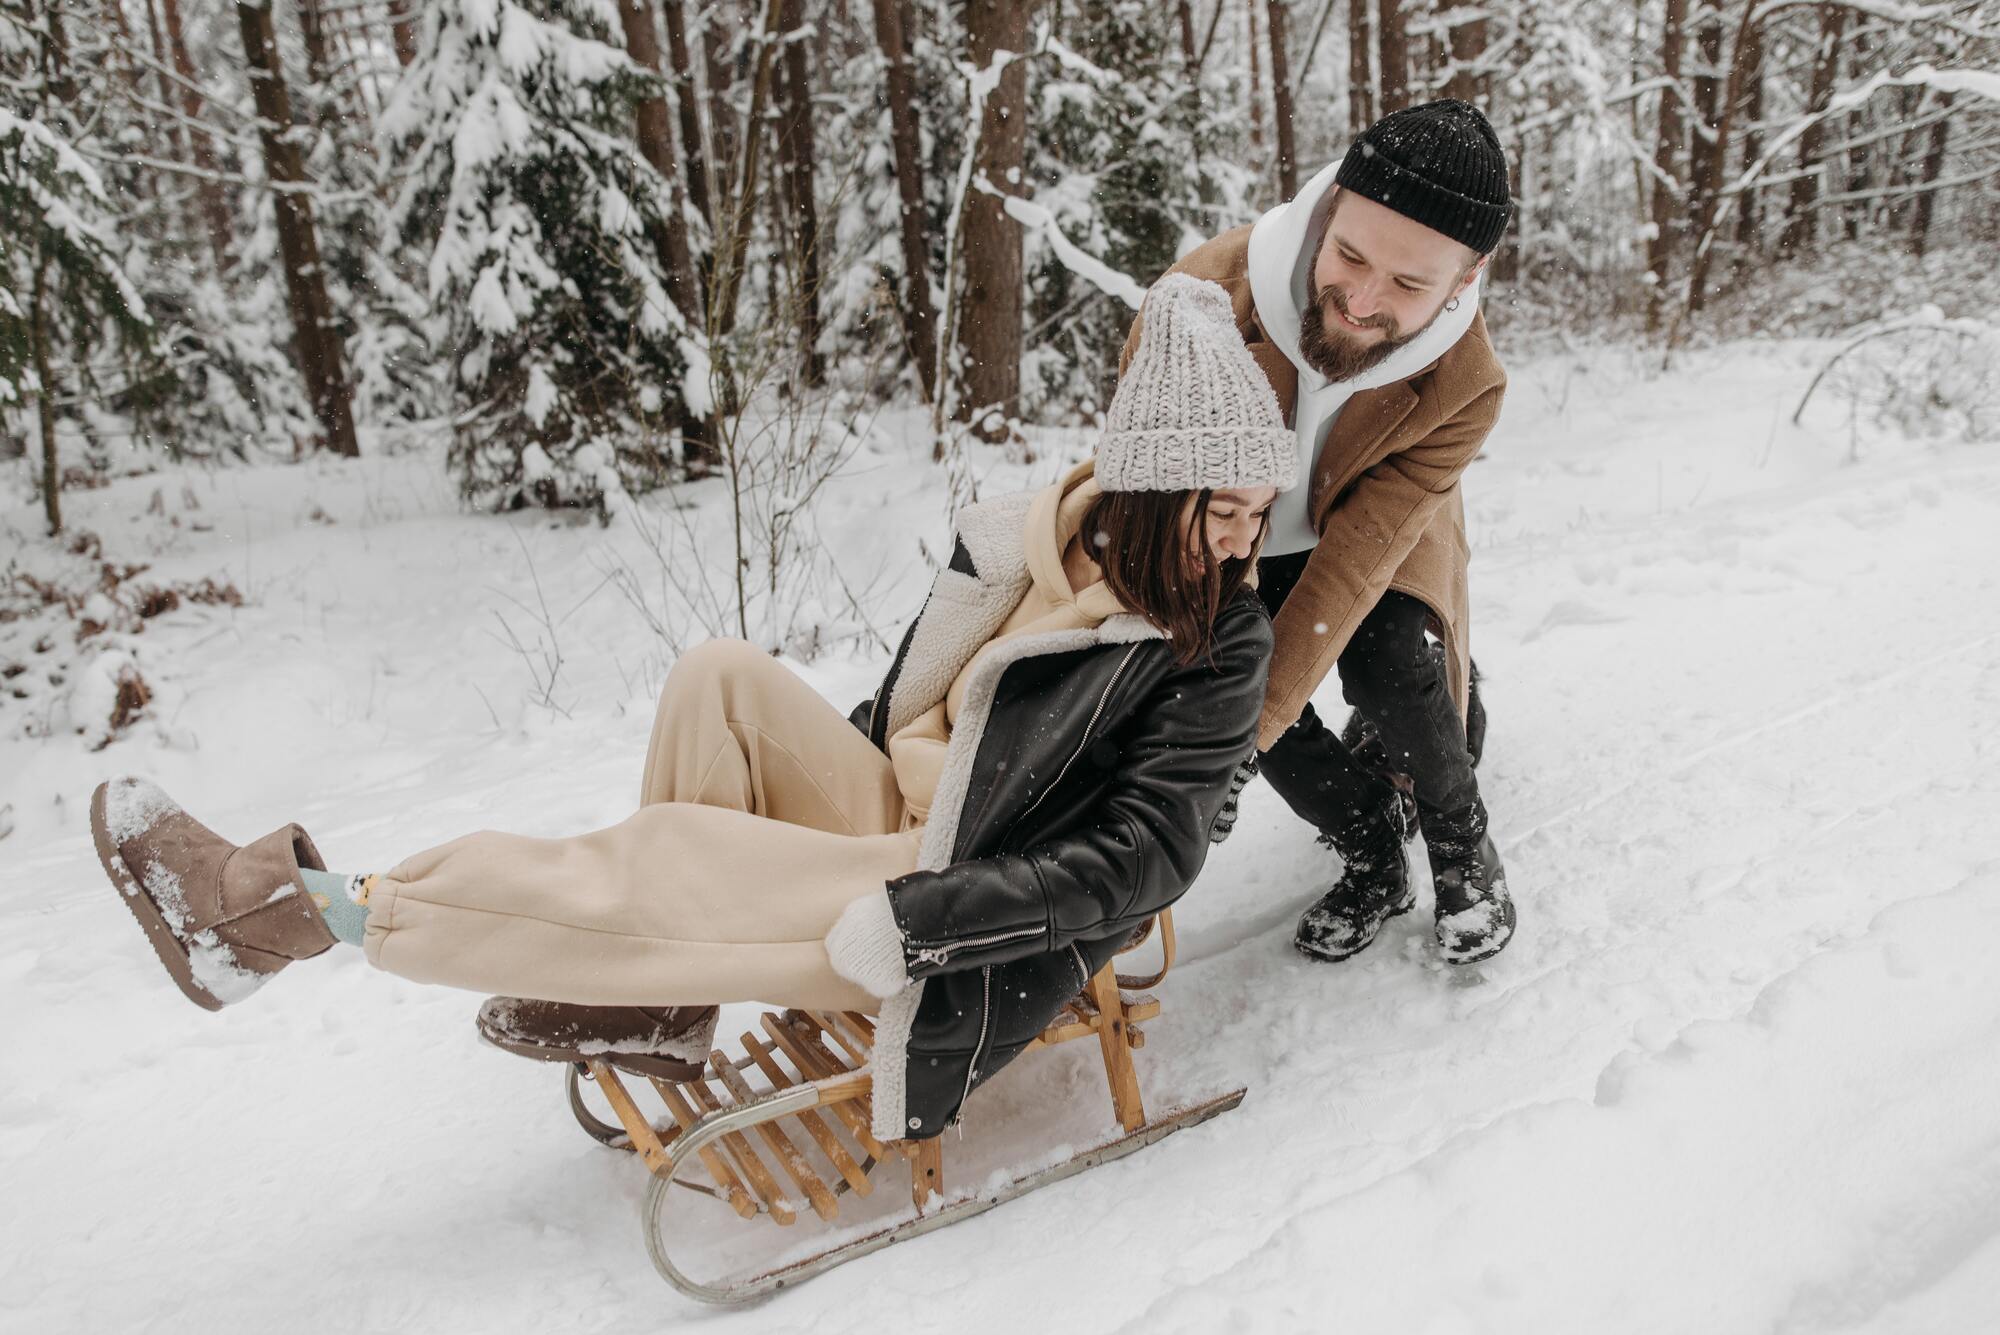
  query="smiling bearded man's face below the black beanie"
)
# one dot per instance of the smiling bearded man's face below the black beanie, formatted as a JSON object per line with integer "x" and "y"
{"x": 1379, "y": 283}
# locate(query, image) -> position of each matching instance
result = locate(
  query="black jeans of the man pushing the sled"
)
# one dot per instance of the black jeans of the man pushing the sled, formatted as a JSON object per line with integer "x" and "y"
{"x": 1395, "y": 678}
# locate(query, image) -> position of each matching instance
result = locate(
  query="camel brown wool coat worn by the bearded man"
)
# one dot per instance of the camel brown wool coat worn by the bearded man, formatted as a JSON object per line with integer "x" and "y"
{"x": 1385, "y": 497}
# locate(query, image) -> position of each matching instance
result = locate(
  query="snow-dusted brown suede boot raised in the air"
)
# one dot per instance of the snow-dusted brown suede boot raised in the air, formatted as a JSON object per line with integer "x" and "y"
{"x": 223, "y": 918}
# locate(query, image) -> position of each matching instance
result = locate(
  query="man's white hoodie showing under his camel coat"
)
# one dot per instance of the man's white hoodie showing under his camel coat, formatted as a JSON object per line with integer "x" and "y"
{"x": 1281, "y": 285}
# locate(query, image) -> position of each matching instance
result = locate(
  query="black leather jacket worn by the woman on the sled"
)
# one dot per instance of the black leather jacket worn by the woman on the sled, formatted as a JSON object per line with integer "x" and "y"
{"x": 1095, "y": 788}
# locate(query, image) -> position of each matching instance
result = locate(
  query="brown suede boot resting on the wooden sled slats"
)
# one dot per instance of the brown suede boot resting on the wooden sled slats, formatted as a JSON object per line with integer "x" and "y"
{"x": 669, "y": 1042}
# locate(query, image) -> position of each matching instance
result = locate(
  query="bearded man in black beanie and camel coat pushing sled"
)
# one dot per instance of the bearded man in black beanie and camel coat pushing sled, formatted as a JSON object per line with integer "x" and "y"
{"x": 1361, "y": 305}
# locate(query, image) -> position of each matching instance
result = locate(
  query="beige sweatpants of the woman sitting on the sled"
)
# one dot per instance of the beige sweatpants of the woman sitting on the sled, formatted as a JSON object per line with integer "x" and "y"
{"x": 763, "y": 814}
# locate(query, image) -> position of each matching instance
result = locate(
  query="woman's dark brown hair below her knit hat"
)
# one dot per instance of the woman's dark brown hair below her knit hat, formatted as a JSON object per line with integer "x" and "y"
{"x": 1159, "y": 565}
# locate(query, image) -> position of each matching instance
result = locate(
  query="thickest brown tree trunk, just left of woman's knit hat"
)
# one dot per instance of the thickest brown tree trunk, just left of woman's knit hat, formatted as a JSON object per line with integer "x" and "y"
{"x": 993, "y": 287}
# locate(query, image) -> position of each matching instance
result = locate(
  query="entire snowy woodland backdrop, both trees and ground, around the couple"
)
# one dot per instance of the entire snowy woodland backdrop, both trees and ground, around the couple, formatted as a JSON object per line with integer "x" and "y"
{"x": 395, "y": 391}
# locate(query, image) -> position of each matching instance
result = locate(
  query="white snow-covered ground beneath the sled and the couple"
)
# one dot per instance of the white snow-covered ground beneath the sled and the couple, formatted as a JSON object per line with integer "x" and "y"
{"x": 1739, "y": 1072}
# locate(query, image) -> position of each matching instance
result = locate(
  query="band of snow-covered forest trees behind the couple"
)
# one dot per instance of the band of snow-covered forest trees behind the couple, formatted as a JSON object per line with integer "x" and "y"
{"x": 589, "y": 245}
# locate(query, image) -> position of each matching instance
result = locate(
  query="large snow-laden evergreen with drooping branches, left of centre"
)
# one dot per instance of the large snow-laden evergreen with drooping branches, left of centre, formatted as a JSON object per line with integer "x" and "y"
{"x": 533, "y": 205}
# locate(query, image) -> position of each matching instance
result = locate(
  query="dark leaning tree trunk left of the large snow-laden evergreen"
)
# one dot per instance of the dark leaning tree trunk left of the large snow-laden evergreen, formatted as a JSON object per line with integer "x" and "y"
{"x": 315, "y": 343}
